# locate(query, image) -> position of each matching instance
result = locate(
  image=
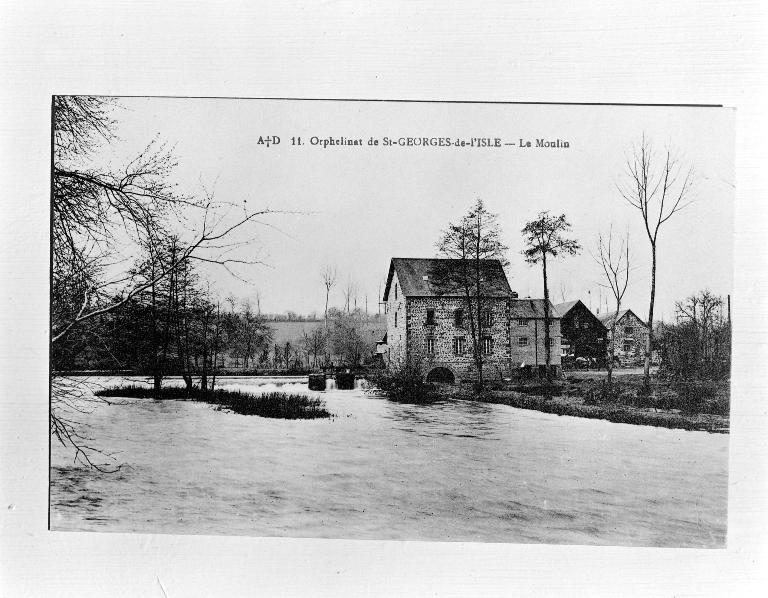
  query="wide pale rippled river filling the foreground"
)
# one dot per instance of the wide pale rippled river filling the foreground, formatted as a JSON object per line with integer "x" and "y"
{"x": 454, "y": 471}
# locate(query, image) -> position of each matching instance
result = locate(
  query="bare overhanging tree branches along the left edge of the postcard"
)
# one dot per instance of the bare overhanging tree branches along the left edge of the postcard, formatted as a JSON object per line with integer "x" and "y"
{"x": 103, "y": 216}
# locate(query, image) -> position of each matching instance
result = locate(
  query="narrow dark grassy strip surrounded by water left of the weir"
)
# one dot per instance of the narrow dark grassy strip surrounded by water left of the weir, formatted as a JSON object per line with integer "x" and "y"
{"x": 278, "y": 405}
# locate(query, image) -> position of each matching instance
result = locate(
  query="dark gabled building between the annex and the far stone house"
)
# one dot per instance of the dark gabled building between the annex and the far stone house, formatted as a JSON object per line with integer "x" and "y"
{"x": 584, "y": 335}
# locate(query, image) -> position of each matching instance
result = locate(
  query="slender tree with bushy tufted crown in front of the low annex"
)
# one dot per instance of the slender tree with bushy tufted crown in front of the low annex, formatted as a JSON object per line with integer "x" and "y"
{"x": 545, "y": 237}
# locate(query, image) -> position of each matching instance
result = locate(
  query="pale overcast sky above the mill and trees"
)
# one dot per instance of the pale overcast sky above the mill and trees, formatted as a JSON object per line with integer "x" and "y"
{"x": 363, "y": 205}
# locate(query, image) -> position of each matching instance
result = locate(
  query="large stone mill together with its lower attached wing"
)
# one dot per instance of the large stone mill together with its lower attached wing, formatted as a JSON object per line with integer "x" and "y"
{"x": 427, "y": 318}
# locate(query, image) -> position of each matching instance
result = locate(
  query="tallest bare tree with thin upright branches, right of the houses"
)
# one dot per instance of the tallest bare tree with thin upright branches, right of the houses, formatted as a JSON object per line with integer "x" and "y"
{"x": 658, "y": 186}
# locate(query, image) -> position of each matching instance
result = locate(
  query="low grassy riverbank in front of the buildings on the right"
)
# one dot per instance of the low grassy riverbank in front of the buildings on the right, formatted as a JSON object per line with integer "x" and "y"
{"x": 626, "y": 402}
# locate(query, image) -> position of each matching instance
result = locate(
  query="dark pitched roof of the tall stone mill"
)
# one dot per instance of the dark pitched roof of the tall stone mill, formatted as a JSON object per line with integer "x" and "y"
{"x": 417, "y": 277}
